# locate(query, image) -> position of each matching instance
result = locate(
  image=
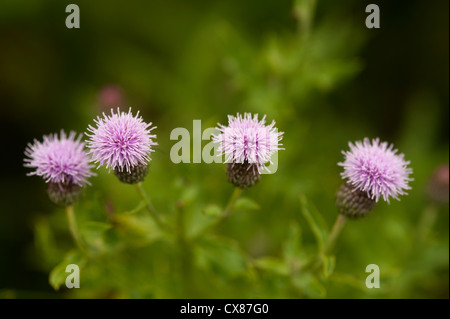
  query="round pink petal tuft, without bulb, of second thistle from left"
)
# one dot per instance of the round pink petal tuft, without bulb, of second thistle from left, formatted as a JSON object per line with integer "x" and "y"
{"x": 121, "y": 141}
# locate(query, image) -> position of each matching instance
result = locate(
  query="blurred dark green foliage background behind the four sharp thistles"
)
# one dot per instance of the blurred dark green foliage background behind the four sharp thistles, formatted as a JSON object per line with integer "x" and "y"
{"x": 312, "y": 66}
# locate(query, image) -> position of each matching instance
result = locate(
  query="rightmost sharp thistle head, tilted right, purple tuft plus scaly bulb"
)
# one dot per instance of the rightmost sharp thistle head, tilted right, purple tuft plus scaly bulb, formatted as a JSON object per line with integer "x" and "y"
{"x": 372, "y": 170}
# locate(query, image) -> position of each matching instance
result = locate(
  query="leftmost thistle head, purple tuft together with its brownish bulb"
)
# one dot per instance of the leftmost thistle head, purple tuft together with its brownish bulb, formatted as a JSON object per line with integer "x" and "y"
{"x": 63, "y": 163}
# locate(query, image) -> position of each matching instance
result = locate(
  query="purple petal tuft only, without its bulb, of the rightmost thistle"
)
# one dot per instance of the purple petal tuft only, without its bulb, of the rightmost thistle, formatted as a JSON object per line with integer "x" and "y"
{"x": 377, "y": 169}
